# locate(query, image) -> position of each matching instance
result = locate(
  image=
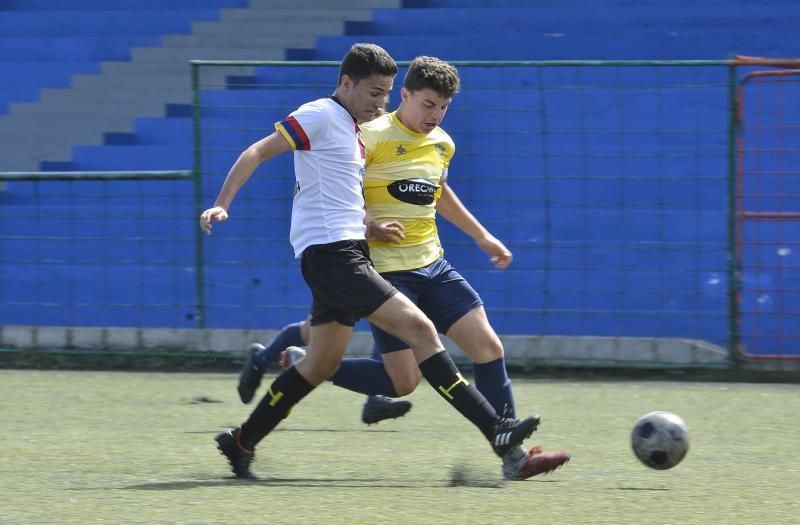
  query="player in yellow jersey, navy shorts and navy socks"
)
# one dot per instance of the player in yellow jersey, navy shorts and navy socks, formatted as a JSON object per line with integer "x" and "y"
{"x": 406, "y": 182}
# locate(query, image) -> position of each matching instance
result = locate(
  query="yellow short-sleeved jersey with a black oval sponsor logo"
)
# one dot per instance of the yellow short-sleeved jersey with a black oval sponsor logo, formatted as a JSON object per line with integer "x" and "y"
{"x": 404, "y": 173}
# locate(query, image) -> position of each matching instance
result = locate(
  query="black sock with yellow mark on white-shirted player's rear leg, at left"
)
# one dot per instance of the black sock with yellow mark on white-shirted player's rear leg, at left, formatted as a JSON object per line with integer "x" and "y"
{"x": 287, "y": 389}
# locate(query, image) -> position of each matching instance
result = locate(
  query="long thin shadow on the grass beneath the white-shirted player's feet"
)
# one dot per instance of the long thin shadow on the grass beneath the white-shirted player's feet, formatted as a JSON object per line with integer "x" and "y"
{"x": 288, "y": 482}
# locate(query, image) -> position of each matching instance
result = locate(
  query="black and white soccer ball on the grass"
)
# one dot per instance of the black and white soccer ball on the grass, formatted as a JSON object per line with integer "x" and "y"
{"x": 660, "y": 440}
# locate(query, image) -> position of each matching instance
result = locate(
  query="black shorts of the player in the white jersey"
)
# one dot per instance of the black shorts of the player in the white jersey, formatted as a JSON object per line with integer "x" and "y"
{"x": 344, "y": 284}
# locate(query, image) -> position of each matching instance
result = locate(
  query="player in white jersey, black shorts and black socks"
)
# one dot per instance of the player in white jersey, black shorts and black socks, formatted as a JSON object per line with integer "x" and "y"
{"x": 328, "y": 235}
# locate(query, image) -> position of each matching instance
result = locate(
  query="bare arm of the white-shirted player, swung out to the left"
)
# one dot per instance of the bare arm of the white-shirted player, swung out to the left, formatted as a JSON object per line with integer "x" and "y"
{"x": 250, "y": 159}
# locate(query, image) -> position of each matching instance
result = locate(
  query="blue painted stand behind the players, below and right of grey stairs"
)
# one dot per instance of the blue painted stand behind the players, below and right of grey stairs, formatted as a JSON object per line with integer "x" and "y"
{"x": 609, "y": 184}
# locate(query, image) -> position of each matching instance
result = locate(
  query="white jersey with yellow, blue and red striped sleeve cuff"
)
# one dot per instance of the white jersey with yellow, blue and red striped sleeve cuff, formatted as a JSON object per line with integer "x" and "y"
{"x": 329, "y": 172}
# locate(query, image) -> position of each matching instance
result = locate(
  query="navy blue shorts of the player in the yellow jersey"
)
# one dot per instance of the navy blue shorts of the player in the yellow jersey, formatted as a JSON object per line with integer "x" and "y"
{"x": 438, "y": 290}
